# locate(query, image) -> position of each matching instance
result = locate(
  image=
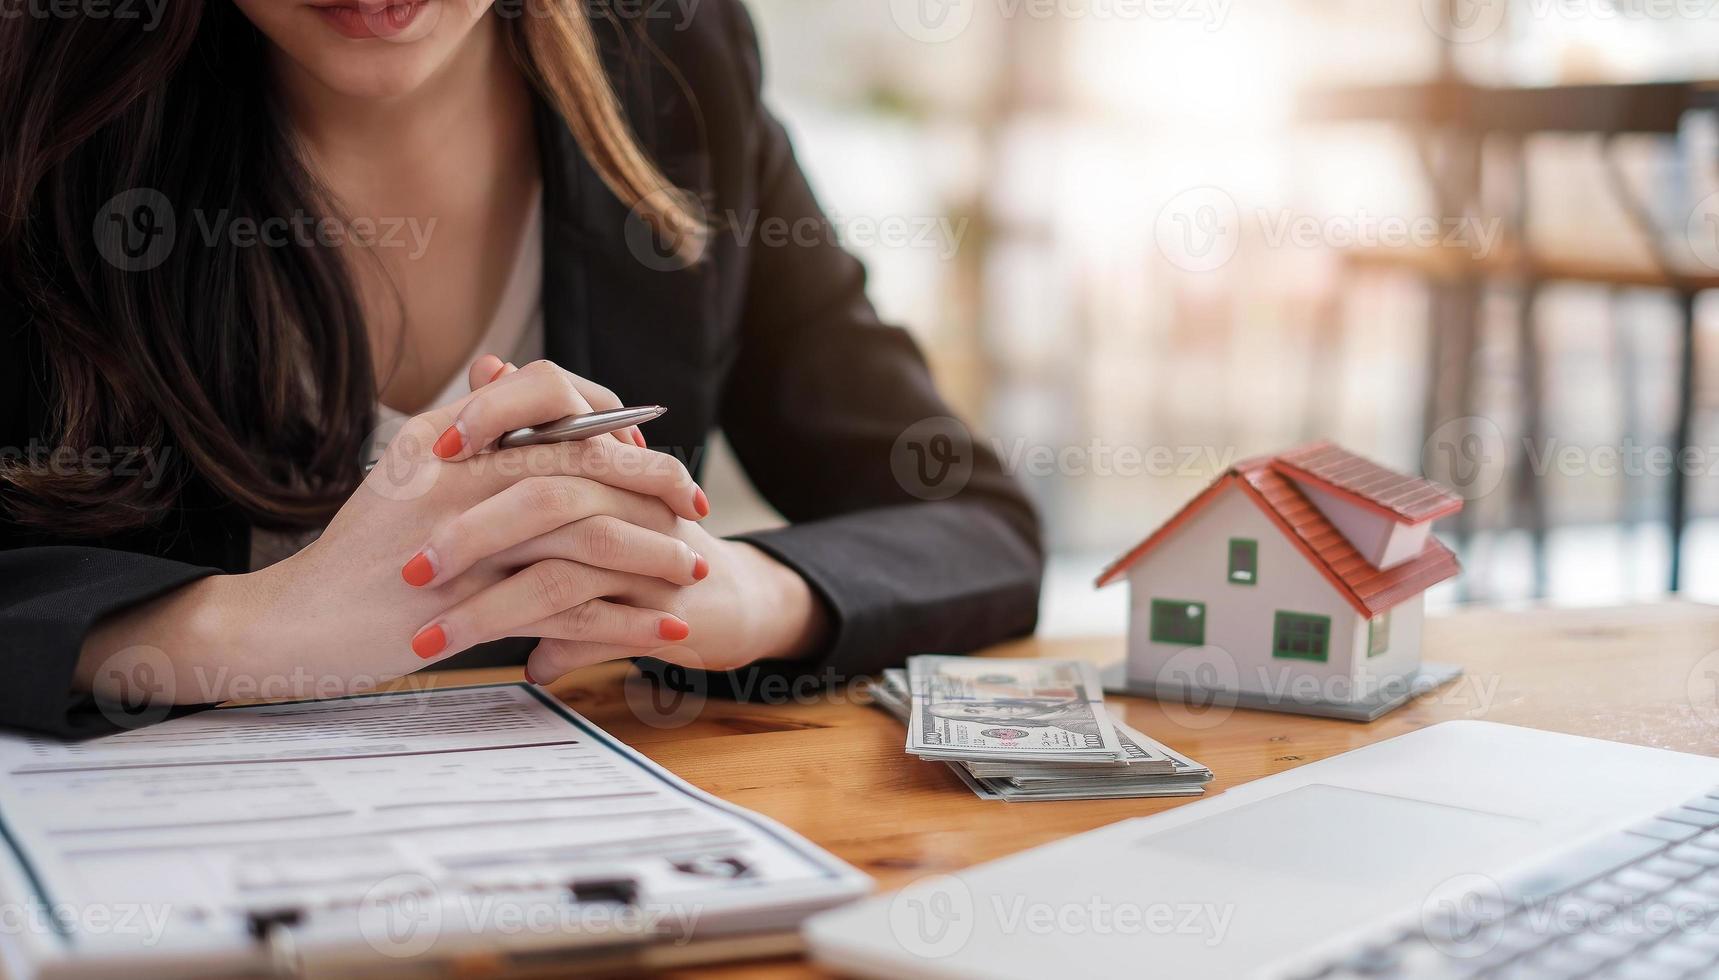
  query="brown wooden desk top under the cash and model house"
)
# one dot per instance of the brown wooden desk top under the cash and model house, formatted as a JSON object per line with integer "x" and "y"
{"x": 835, "y": 769}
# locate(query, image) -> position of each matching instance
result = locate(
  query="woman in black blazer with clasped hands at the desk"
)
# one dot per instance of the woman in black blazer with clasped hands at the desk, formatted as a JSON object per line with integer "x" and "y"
{"x": 200, "y": 334}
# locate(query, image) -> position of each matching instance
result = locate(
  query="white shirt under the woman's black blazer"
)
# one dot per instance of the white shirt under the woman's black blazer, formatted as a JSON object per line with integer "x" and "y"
{"x": 515, "y": 334}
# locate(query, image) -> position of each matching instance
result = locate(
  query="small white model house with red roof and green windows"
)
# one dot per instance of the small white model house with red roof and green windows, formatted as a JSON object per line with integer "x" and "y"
{"x": 1294, "y": 582}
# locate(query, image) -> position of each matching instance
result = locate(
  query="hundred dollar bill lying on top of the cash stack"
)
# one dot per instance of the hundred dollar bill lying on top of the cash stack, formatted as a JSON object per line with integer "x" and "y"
{"x": 1031, "y": 711}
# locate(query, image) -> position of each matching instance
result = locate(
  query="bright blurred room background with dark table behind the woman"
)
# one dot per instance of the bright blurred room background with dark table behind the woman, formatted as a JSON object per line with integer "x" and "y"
{"x": 1141, "y": 240}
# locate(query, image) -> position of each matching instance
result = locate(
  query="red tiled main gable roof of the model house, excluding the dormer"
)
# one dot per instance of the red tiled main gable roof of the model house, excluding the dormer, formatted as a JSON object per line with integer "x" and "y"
{"x": 1367, "y": 589}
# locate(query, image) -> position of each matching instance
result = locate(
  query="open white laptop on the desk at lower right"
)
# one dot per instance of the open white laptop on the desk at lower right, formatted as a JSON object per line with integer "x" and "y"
{"x": 1422, "y": 855}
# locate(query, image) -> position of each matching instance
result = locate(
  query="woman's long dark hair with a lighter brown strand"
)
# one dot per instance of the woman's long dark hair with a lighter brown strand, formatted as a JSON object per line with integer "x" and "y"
{"x": 243, "y": 367}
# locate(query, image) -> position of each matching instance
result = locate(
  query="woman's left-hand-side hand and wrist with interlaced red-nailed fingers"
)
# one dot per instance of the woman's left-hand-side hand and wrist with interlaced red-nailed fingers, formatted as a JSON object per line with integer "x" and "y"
{"x": 437, "y": 553}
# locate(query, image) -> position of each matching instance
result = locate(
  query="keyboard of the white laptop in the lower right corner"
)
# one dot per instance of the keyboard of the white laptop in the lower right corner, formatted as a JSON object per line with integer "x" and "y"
{"x": 1639, "y": 905}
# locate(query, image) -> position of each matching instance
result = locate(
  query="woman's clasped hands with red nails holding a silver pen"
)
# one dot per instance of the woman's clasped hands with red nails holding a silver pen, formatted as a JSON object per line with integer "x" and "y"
{"x": 594, "y": 548}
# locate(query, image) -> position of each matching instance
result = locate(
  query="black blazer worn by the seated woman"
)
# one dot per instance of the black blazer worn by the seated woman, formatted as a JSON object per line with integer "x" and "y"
{"x": 771, "y": 341}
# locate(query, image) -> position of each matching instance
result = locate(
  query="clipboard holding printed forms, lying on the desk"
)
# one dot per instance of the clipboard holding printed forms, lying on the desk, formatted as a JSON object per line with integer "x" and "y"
{"x": 417, "y": 833}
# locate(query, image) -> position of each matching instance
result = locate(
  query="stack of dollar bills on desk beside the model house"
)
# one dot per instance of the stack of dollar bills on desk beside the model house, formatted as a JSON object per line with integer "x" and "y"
{"x": 1031, "y": 730}
